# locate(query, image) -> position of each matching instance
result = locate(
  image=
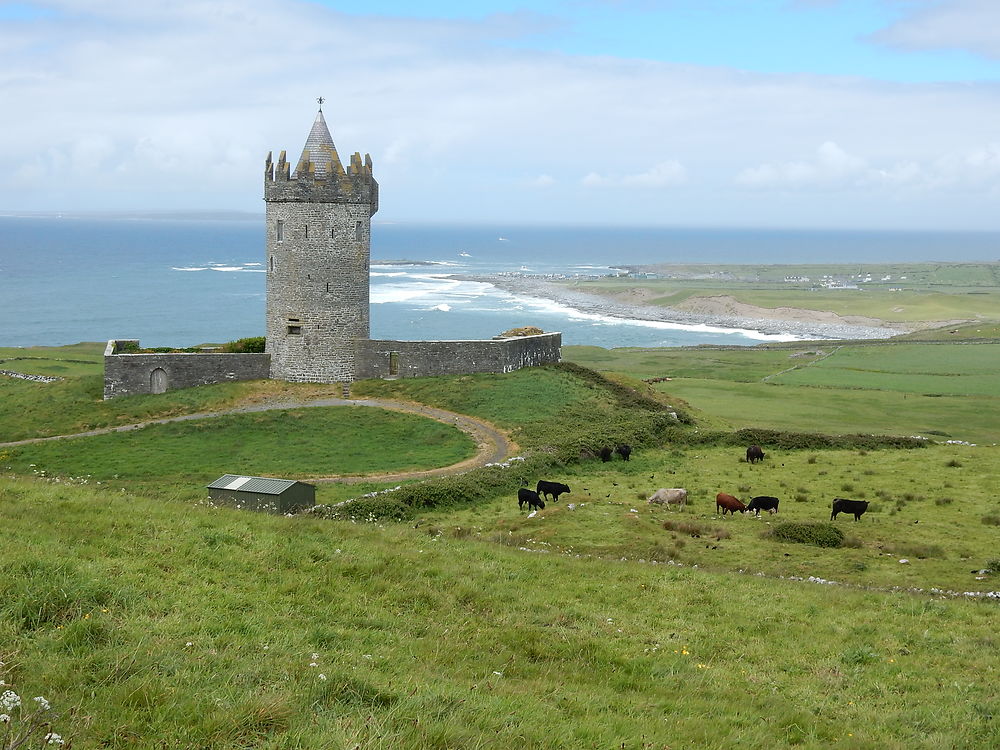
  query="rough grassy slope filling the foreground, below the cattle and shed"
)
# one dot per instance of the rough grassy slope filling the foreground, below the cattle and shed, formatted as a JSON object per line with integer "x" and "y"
{"x": 156, "y": 623}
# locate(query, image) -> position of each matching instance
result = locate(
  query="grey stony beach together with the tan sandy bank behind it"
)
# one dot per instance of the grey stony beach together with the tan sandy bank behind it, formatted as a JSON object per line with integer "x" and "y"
{"x": 722, "y": 312}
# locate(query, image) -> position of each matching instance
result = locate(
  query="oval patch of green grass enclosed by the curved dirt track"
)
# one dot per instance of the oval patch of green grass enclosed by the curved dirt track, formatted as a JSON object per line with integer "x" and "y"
{"x": 299, "y": 443}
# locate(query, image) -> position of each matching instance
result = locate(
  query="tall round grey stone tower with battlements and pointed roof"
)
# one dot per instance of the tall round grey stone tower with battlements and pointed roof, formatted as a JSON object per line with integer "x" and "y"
{"x": 318, "y": 225}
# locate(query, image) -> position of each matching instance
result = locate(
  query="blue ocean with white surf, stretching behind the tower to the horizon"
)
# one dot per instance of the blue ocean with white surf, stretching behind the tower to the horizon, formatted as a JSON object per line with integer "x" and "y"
{"x": 187, "y": 282}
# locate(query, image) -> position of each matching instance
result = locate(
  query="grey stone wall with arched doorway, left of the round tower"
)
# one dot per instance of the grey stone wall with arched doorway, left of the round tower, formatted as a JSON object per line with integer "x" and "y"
{"x": 131, "y": 374}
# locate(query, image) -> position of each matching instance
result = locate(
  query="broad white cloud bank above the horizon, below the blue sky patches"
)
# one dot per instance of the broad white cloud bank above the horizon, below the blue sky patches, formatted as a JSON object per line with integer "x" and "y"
{"x": 175, "y": 104}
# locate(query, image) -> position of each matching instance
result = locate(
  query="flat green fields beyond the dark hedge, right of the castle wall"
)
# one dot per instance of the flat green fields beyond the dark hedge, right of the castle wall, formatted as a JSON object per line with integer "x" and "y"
{"x": 937, "y": 390}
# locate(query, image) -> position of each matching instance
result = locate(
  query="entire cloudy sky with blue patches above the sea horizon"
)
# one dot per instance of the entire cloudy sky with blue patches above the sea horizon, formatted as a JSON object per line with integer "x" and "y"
{"x": 850, "y": 114}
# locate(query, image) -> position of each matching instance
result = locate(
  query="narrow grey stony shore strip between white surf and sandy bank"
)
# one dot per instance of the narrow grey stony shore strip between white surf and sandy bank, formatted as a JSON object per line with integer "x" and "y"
{"x": 591, "y": 303}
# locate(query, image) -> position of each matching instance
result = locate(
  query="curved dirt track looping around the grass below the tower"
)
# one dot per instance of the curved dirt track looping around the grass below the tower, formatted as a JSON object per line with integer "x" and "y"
{"x": 492, "y": 446}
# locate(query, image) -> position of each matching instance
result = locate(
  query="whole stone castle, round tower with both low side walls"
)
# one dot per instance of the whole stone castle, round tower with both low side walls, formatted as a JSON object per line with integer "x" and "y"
{"x": 318, "y": 225}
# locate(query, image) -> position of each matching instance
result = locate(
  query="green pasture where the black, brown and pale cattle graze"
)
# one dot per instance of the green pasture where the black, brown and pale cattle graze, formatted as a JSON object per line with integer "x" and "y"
{"x": 926, "y": 506}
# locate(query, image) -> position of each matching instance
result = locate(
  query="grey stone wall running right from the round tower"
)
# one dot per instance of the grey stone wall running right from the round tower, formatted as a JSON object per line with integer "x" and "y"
{"x": 424, "y": 358}
